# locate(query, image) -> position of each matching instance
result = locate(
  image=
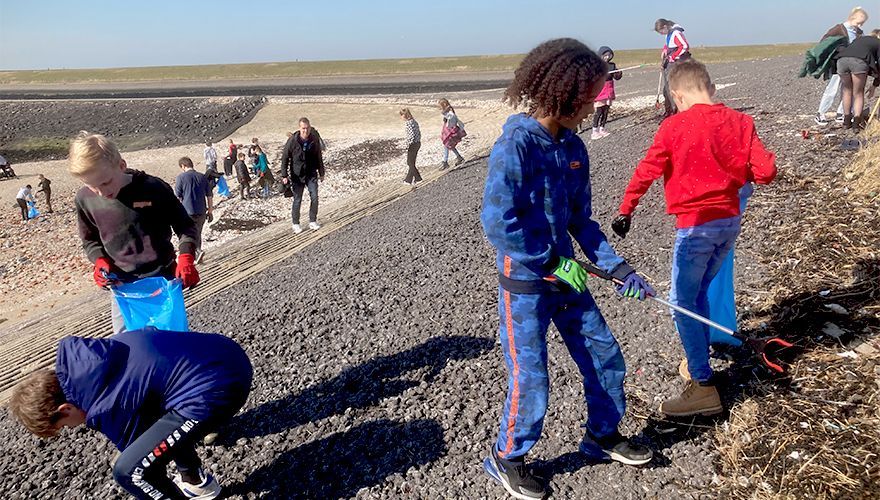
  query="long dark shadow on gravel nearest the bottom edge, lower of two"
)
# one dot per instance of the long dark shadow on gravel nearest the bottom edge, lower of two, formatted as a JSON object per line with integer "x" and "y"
{"x": 343, "y": 463}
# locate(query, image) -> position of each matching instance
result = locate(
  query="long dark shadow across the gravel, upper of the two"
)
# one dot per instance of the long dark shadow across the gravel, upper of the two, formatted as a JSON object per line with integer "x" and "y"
{"x": 361, "y": 386}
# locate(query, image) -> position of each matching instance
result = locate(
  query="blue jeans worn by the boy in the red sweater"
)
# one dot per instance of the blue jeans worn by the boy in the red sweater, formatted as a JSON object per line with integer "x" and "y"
{"x": 698, "y": 255}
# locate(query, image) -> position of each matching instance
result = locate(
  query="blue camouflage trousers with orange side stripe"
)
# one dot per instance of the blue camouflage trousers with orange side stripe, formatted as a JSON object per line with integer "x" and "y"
{"x": 524, "y": 322}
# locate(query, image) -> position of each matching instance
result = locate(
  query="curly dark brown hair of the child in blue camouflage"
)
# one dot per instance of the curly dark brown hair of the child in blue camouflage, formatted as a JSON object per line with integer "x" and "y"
{"x": 556, "y": 77}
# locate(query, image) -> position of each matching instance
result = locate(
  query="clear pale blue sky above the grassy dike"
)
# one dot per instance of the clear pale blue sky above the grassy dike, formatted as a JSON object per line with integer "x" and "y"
{"x": 42, "y": 34}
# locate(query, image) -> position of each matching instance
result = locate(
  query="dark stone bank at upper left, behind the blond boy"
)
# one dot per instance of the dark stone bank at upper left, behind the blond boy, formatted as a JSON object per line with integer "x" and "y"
{"x": 39, "y": 130}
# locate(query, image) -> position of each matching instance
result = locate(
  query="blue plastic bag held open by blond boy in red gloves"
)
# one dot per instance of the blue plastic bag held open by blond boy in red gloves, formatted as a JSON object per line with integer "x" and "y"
{"x": 152, "y": 302}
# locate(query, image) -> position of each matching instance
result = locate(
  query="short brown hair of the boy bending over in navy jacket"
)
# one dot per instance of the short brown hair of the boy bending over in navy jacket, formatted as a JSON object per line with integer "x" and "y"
{"x": 35, "y": 401}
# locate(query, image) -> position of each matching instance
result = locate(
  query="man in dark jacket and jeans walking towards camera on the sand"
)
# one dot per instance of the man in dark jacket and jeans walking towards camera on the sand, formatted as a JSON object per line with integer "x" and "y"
{"x": 302, "y": 166}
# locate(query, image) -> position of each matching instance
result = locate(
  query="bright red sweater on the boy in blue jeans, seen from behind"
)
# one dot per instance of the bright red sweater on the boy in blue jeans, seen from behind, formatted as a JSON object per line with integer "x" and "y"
{"x": 705, "y": 155}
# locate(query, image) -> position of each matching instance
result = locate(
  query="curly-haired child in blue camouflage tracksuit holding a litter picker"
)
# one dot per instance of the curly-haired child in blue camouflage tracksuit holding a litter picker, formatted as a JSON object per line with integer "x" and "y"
{"x": 537, "y": 199}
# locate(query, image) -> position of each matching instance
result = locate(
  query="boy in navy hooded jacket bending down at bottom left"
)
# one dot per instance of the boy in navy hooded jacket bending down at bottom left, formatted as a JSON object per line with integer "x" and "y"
{"x": 153, "y": 393}
